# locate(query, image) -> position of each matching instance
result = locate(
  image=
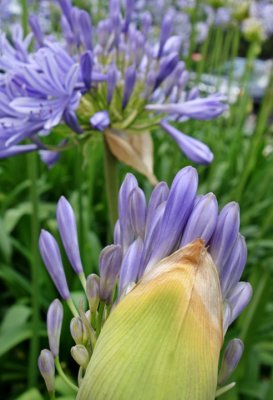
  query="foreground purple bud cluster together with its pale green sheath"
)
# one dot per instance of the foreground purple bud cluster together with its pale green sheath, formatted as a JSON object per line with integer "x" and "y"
{"x": 169, "y": 288}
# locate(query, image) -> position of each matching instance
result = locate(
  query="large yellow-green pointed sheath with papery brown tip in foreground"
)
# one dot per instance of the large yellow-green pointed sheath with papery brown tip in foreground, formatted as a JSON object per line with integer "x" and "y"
{"x": 163, "y": 339}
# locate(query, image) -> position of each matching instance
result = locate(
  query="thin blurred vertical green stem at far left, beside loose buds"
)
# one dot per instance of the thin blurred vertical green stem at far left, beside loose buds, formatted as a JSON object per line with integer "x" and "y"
{"x": 35, "y": 262}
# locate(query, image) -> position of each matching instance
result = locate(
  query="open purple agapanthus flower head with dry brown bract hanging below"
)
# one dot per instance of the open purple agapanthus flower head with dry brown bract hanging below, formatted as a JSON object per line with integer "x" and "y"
{"x": 115, "y": 78}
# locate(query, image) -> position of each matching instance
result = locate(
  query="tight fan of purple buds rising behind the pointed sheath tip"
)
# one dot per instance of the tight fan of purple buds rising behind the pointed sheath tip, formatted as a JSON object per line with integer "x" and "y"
{"x": 174, "y": 218}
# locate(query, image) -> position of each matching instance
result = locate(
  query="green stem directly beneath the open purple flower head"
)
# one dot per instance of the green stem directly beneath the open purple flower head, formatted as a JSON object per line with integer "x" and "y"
{"x": 111, "y": 184}
